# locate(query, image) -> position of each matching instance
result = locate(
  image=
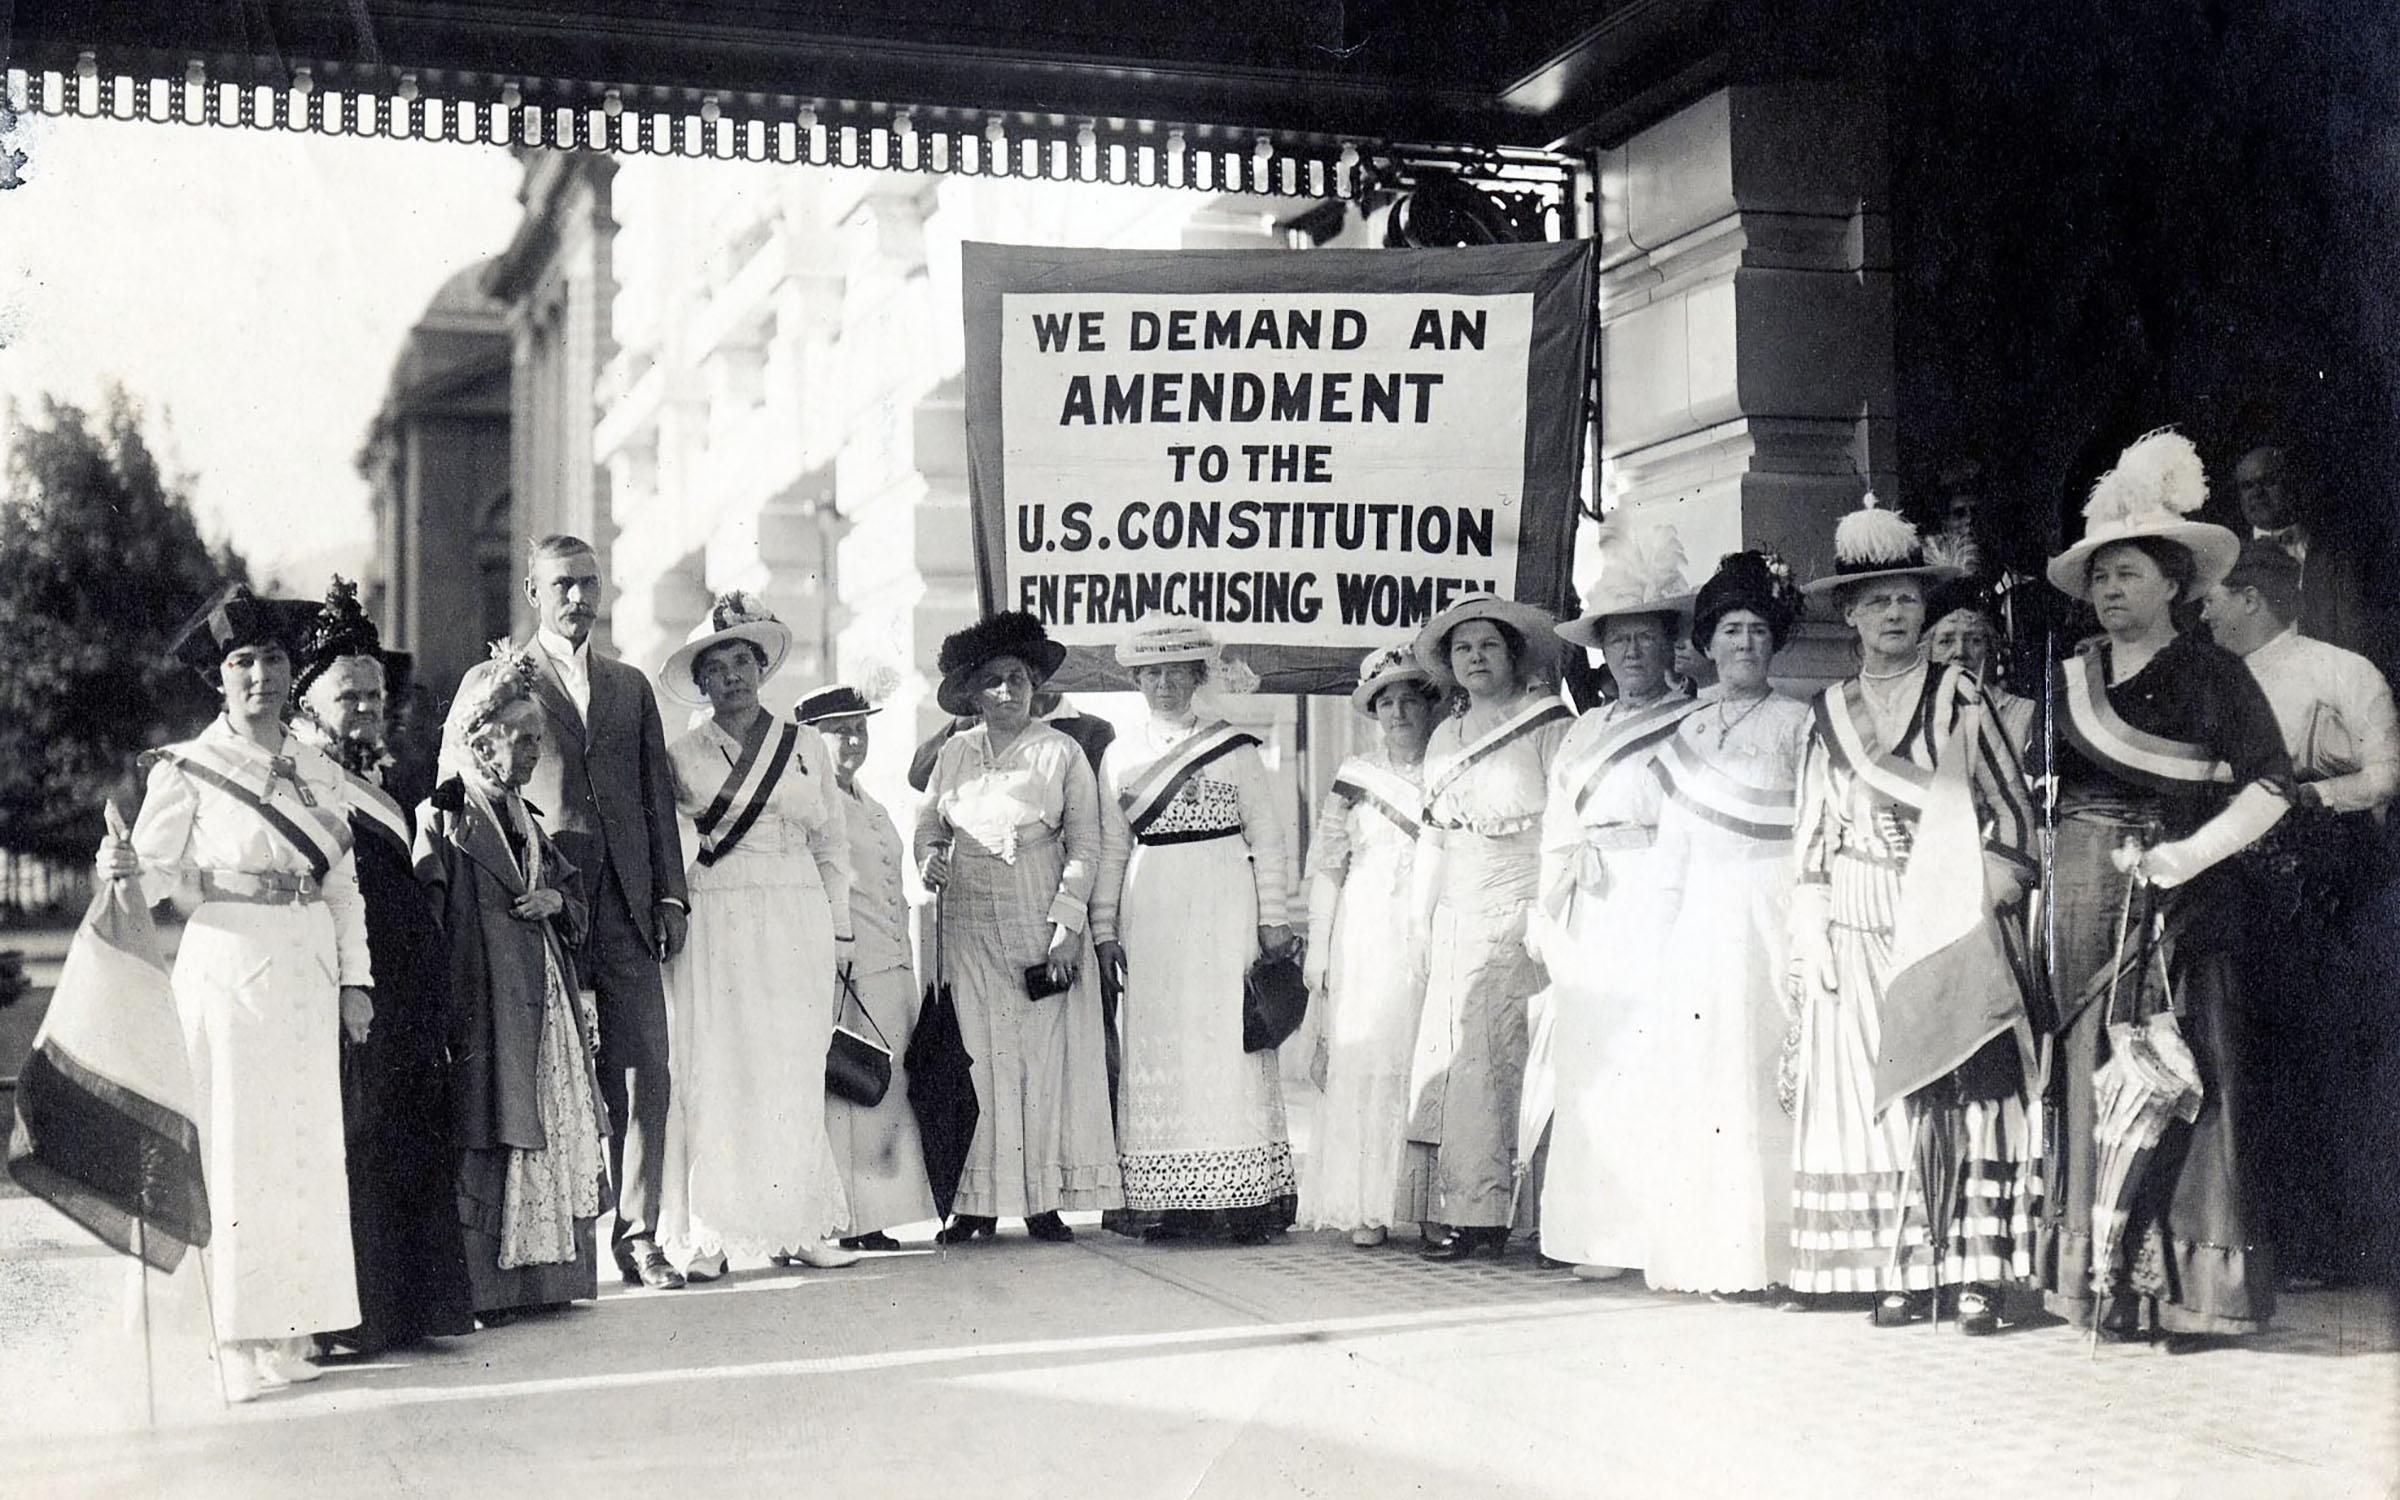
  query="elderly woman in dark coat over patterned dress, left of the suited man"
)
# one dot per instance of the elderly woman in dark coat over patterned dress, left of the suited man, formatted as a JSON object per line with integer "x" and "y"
{"x": 524, "y": 1098}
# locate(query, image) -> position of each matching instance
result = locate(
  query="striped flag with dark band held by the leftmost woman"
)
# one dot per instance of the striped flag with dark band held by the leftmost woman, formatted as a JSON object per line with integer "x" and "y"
{"x": 104, "y": 1108}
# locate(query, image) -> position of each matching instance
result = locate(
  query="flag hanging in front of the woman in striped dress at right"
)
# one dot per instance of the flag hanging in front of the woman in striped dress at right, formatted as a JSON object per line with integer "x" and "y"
{"x": 1952, "y": 985}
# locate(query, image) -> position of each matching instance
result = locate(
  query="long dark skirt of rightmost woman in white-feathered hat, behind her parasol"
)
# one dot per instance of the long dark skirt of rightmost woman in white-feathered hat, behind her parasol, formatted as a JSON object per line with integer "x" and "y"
{"x": 2190, "y": 1247}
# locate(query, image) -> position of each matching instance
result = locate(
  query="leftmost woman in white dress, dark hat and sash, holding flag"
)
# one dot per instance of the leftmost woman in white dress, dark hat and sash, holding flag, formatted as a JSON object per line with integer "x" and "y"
{"x": 248, "y": 834}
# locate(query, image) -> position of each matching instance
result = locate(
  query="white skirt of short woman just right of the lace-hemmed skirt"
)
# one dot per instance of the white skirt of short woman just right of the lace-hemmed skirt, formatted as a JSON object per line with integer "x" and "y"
{"x": 1372, "y": 1009}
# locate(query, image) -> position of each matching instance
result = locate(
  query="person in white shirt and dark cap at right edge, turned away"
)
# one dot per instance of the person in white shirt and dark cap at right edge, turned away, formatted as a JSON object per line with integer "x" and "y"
{"x": 2317, "y": 980}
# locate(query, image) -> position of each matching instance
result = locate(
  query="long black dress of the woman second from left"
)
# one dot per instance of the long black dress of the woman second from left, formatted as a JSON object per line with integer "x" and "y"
{"x": 397, "y": 1110}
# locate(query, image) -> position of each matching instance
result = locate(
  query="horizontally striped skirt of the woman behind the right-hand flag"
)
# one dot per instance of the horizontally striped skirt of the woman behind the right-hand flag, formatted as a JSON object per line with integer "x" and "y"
{"x": 1864, "y": 1180}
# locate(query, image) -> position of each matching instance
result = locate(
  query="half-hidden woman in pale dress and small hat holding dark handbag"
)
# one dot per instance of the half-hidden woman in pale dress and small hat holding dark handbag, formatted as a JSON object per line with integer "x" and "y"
{"x": 877, "y": 1144}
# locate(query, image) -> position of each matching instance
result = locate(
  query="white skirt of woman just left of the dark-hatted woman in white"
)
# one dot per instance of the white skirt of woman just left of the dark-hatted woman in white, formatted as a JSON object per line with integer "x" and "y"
{"x": 1604, "y": 985}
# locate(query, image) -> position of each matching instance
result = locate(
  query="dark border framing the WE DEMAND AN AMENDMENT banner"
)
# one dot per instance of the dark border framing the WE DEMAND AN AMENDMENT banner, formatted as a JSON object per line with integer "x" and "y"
{"x": 1556, "y": 397}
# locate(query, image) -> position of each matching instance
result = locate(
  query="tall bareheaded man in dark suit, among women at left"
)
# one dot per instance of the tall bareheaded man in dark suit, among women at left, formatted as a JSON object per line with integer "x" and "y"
{"x": 608, "y": 800}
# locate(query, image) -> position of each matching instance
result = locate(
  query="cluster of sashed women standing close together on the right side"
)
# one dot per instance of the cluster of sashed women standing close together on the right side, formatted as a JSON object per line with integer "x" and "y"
{"x": 1804, "y": 1036}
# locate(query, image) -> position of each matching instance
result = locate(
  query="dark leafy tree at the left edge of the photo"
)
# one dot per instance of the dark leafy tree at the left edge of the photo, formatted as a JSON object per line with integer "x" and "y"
{"x": 100, "y": 563}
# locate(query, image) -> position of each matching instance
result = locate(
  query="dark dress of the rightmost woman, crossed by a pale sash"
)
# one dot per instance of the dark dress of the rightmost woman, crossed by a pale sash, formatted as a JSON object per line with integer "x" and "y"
{"x": 2195, "y": 1247}
